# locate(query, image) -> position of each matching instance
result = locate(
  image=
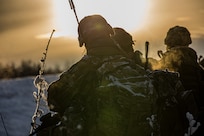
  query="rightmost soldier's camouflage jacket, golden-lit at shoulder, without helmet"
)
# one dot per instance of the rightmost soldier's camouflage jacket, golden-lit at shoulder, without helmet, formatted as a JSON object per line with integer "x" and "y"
{"x": 184, "y": 61}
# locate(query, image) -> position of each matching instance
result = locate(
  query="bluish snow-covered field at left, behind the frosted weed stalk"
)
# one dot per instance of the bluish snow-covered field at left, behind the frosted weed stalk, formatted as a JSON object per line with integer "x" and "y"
{"x": 17, "y": 105}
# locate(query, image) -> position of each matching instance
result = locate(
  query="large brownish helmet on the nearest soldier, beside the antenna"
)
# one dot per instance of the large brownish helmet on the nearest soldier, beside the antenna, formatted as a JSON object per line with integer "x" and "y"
{"x": 93, "y": 27}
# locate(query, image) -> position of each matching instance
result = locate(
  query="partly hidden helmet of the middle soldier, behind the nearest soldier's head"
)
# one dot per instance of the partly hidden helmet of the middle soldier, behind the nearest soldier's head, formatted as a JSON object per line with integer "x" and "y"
{"x": 124, "y": 39}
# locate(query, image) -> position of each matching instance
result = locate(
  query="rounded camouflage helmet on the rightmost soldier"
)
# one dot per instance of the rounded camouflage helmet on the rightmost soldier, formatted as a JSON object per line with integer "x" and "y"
{"x": 177, "y": 36}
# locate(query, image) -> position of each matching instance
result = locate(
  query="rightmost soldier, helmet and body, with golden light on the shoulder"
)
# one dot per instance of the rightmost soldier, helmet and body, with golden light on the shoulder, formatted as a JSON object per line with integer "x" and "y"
{"x": 180, "y": 58}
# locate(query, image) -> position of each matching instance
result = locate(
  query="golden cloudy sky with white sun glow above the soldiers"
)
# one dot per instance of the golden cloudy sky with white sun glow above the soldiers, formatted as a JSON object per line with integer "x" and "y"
{"x": 26, "y": 26}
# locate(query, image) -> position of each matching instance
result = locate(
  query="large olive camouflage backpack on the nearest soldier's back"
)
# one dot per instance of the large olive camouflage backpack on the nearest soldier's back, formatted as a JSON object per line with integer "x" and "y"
{"x": 125, "y": 93}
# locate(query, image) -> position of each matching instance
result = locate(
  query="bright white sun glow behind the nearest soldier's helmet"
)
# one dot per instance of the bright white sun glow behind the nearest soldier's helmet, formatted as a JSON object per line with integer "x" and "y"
{"x": 129, "y": 14}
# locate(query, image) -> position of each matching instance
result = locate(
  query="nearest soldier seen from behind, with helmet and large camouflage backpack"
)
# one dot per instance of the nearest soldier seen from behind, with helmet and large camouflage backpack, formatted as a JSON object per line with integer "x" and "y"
{"x": 104, "y": 94}
